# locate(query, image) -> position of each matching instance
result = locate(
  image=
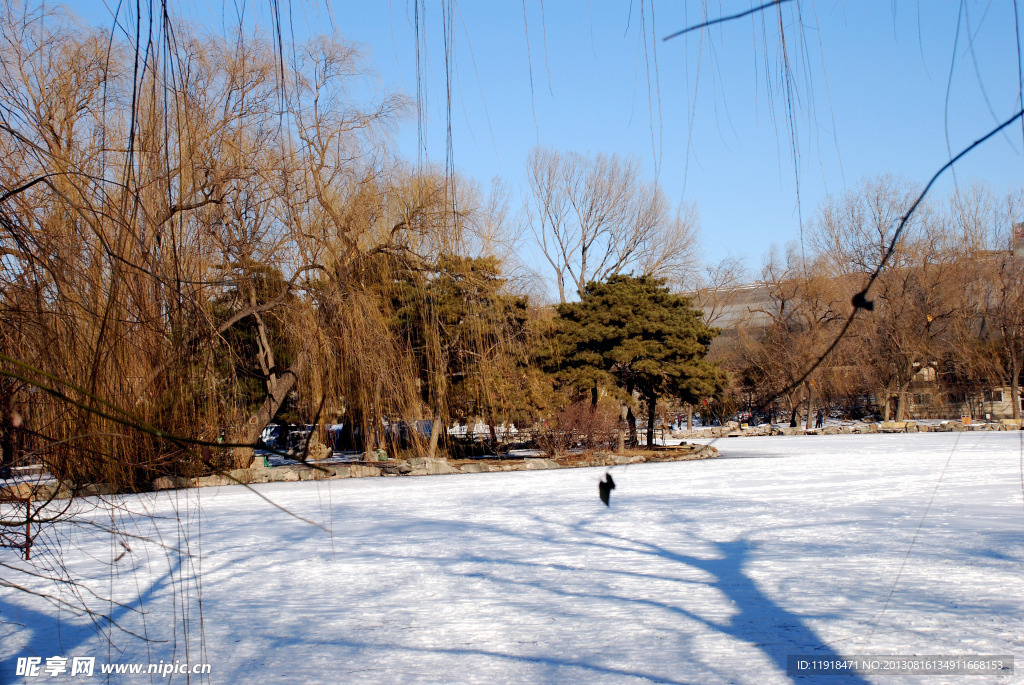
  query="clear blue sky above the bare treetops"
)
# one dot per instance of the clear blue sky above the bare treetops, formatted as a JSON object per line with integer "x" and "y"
{"x": 707, "y": 112}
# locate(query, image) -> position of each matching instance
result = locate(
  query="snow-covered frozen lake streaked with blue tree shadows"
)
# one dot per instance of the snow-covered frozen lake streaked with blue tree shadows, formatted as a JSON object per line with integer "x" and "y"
{"x": 708, "y": 572}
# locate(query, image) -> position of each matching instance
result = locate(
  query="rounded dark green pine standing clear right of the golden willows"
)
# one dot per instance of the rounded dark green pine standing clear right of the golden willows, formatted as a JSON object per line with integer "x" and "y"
{"x": 634, "y": 334}
